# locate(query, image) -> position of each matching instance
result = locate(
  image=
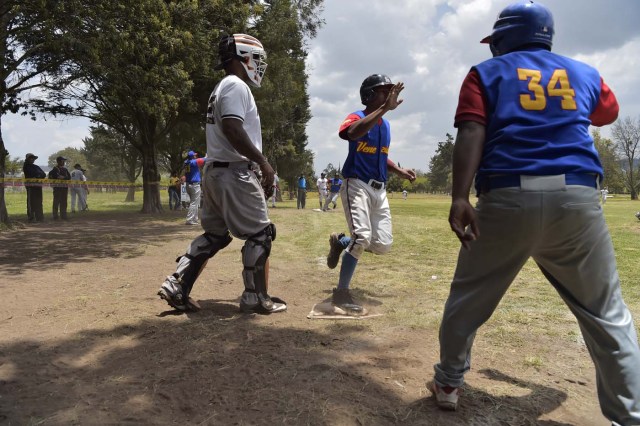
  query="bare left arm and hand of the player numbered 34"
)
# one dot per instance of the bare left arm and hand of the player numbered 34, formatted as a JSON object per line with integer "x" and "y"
{"x": 467, "y": 153}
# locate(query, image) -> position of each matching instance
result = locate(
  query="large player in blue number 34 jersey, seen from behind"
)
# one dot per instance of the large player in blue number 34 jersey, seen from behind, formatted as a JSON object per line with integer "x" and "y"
{"x": 523, "y": 131}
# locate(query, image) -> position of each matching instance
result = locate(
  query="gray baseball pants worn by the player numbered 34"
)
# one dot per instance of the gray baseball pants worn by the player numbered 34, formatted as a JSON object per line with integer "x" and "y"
{"x": 564, "y": 231}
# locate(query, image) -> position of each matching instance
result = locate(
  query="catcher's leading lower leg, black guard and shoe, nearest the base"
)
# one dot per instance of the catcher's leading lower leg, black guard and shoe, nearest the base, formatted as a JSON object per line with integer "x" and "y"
{"x": 255, "y": 253}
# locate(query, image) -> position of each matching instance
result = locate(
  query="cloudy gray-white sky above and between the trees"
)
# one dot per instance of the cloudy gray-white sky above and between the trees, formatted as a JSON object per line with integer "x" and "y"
{"x": 430, "y": 46}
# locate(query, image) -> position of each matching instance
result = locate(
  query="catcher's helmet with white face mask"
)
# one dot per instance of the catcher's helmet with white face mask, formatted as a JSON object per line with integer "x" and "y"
{"x": 248, "y": 50}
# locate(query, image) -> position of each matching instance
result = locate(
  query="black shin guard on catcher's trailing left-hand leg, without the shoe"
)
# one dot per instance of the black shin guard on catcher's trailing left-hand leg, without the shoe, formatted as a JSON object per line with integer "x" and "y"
{"x": 191, "y": 264}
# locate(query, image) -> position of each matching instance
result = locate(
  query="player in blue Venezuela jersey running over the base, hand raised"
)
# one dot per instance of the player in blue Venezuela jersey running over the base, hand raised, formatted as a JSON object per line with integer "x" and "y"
{"x": 363, "y": 193}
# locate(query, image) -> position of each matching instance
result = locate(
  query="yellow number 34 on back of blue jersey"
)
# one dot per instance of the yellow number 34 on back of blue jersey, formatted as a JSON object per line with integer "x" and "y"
{"x": 558, "y": 86}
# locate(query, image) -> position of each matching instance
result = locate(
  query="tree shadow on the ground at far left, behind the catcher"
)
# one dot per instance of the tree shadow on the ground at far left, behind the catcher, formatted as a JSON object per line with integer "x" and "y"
{"x": 83, "y": 238}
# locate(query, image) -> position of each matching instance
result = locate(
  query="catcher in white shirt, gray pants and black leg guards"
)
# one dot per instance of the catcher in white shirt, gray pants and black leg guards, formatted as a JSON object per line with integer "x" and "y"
{"x": 235, "y": 199}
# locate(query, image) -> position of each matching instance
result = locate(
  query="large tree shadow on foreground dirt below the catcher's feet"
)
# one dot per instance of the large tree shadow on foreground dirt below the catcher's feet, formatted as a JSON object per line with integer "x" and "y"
{"x": 220, "y": 367}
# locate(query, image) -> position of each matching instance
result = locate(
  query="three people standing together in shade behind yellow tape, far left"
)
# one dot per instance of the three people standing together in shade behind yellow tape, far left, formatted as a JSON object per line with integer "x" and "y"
{"x": 58, "y": 175}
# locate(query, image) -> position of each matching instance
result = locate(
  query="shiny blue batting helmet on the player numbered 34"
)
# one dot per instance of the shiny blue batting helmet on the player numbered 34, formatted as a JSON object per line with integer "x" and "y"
{"x": 520, "y": 24}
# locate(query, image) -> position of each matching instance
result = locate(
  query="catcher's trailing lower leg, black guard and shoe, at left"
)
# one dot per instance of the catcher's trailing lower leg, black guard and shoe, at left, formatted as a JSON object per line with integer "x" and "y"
{"x": 177, "y": 287}
